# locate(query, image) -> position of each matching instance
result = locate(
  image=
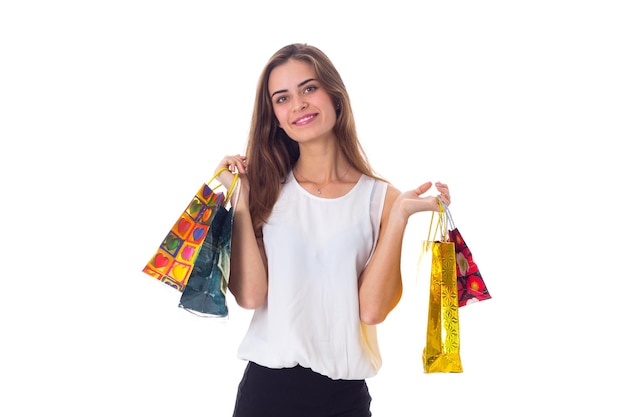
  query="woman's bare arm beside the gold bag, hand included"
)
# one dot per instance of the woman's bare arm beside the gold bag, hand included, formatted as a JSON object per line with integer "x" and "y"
{"x": 380, "y": 284}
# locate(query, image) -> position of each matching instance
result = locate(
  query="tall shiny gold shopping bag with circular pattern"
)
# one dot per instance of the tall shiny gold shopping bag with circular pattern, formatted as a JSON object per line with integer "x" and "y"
{"x": 443, "y": 343}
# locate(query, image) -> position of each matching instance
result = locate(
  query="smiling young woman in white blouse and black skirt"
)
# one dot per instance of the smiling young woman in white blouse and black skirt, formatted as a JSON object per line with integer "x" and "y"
{"x": 316, "y": 245}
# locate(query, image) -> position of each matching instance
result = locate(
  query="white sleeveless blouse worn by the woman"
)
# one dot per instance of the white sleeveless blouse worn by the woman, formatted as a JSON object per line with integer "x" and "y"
{"x": 316, "y": 250}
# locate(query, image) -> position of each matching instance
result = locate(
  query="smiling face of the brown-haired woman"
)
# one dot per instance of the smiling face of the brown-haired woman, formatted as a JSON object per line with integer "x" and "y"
{"x": 304, "y": 109}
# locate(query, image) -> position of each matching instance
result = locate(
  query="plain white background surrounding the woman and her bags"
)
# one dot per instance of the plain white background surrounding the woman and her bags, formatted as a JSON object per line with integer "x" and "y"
{"x": 112, "y": 113}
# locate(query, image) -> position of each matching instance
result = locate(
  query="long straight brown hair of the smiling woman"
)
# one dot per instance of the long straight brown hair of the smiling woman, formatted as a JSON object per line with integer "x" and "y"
{"x": 271, "y": 153}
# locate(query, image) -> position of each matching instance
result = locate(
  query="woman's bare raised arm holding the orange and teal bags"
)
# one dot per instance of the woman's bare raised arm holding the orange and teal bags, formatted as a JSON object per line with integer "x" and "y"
{"x": 248, "y": 269}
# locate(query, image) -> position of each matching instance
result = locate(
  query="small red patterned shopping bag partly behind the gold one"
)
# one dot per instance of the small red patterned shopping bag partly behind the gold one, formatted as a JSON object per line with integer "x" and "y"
{"x": 471, "y": 287}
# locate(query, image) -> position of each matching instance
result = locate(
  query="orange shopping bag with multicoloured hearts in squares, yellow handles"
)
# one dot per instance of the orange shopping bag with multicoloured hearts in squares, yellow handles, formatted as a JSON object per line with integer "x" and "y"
{"x": 174, "y": 259}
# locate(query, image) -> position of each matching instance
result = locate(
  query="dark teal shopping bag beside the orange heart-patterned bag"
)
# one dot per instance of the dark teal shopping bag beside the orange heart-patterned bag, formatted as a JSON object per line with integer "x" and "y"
{"x": 205, "y": 292}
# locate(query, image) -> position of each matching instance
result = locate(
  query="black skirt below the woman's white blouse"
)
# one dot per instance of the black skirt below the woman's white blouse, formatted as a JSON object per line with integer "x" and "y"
{"x": 299, "y": 392}
